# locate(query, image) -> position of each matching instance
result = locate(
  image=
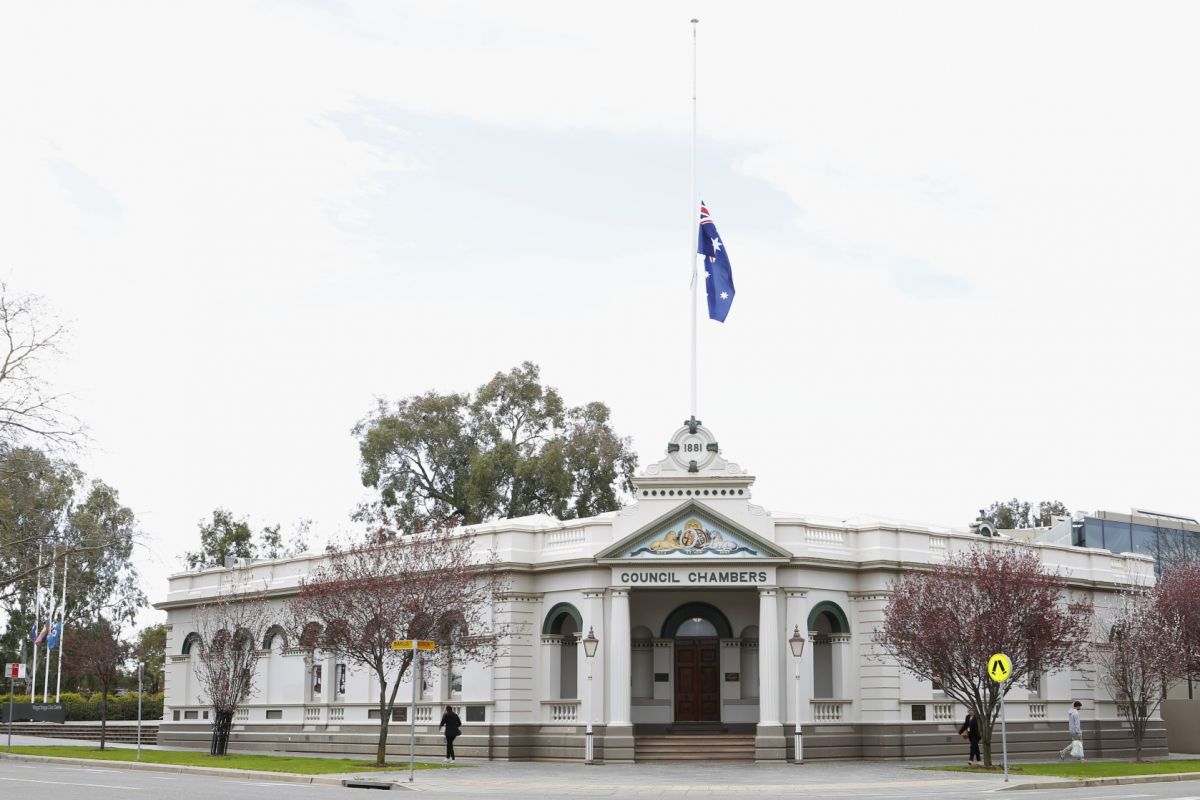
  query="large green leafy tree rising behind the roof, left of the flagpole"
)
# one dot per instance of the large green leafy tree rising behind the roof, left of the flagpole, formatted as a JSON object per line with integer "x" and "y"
{"x": 512, "y": 449}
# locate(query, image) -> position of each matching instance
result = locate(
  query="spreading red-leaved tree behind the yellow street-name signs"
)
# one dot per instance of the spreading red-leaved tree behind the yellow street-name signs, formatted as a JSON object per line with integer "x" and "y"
{"x": 431, "y": 586}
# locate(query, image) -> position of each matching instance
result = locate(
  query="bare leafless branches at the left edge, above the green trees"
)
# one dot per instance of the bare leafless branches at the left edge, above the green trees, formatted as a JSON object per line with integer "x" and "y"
{"x": 31, "y": 412}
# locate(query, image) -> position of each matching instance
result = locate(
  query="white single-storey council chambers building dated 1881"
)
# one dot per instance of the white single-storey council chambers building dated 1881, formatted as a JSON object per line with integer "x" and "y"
{"x": 693, "y": 592}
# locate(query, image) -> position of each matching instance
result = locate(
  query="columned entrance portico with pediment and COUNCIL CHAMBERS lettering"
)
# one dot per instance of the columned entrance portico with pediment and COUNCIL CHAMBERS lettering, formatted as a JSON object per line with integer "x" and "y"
{"x": 695, "y": 629}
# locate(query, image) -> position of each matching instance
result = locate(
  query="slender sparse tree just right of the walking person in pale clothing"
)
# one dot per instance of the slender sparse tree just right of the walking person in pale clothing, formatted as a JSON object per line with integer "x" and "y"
{"x": 1142, "y": 648}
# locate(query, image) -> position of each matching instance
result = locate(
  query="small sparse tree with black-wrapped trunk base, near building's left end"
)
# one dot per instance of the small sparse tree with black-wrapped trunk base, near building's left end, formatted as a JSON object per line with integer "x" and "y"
{"x": 231, "y": 625}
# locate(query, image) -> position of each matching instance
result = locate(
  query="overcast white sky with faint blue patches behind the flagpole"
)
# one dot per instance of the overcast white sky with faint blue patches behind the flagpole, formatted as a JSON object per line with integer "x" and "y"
{"x": 964, "y": 238}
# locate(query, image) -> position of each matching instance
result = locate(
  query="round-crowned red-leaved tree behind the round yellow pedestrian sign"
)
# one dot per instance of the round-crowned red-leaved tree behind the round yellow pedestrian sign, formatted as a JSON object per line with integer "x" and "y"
{"x": 946, "y": 623}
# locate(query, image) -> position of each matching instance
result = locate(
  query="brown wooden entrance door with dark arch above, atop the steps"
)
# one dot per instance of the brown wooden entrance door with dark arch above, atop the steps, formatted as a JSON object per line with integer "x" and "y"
{"x": 698, "y": 630}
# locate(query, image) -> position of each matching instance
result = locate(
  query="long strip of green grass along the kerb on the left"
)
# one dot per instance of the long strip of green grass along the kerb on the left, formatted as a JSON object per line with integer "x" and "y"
{"x": 297, "y": 765}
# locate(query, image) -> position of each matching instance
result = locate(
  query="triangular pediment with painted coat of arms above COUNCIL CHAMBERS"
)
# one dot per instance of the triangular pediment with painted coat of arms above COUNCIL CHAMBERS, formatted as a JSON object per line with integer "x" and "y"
{"x": 693, "y": 532}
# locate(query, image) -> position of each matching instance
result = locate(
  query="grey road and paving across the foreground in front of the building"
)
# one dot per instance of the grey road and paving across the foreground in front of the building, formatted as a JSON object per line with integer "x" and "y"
{"x": 29, "y": 781}
